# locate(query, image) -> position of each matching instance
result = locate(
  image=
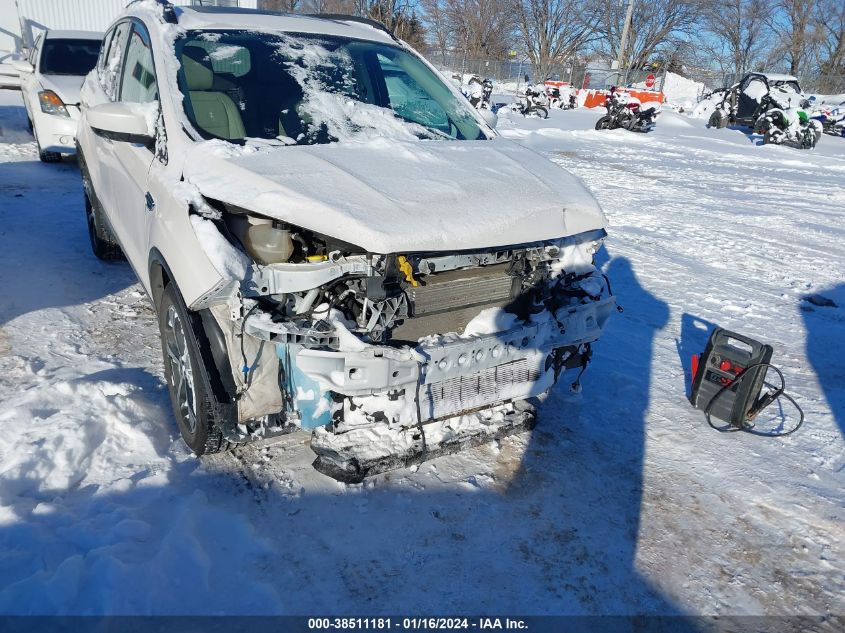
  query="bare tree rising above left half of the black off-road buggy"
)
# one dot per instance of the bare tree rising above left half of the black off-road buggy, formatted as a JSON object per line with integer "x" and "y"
{"x": 739, "y": 33}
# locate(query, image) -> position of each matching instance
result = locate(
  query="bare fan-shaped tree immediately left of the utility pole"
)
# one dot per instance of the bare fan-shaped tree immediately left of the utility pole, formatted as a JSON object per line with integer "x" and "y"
{"x": 553, "y": 30}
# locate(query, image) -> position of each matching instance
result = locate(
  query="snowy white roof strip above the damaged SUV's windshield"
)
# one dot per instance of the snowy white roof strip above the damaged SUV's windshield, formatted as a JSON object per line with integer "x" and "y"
{"x": 263, "y": 21}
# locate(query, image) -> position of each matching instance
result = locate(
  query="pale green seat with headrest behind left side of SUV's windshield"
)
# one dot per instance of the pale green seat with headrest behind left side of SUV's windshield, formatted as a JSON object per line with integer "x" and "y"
{"x": 213, "y": 112}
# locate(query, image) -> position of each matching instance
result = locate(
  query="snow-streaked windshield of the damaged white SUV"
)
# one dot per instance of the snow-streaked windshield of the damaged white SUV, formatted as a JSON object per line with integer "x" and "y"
{"x": 305, "y": 89}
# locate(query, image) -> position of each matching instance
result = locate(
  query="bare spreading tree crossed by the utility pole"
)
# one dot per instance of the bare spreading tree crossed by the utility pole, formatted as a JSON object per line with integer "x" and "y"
{"x": 656, "y": 25}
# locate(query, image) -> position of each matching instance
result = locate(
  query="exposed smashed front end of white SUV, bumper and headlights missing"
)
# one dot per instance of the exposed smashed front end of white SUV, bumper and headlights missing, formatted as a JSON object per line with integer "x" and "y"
{"x": 390, "y": 359}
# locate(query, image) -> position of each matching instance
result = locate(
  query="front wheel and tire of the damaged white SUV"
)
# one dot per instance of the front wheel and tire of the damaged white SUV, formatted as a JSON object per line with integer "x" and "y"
{"x": 198, "y": 414}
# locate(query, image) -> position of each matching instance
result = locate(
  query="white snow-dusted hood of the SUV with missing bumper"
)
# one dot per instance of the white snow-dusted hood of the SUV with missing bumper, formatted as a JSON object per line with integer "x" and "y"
{"x": 390, "y": 196}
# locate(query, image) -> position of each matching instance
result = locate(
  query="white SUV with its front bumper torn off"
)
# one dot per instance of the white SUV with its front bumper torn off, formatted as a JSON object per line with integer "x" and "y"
{"x": 333, "y": 239}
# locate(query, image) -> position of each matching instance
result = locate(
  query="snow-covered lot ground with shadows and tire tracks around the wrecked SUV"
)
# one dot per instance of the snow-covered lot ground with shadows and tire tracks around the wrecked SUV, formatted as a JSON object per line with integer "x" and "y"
{"x": 622, "y": 500}
